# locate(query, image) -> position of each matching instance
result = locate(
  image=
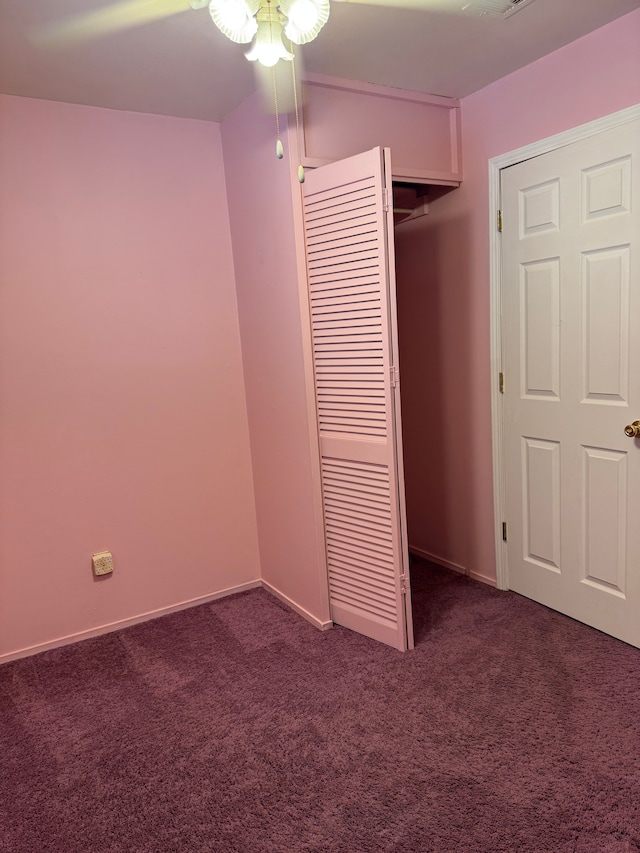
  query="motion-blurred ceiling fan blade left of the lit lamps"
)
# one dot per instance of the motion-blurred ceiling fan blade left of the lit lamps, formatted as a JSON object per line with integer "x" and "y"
{"x": 107, "y": 20}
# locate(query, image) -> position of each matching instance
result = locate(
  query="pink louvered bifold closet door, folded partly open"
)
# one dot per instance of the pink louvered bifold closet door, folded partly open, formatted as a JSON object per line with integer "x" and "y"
{"x": 352, "y": 302}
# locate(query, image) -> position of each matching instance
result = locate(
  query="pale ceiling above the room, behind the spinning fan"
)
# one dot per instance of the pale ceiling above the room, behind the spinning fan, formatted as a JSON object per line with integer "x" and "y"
{"x": 183, "y": 66}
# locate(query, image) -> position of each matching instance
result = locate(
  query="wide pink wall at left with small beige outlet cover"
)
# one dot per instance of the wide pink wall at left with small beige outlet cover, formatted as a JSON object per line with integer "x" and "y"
{"x": 123, "y": 422}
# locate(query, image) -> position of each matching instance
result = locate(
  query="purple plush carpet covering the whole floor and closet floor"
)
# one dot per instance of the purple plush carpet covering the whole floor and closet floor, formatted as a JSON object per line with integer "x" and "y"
{"x": 236, "y": 726}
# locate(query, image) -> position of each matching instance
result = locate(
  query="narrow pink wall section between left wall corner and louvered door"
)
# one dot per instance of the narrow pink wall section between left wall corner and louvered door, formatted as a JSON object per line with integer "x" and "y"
{"x": 262, "y": 223}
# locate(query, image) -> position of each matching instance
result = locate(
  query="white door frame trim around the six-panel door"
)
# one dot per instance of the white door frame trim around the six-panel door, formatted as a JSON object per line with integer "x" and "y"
{"x": 527, "y": 152}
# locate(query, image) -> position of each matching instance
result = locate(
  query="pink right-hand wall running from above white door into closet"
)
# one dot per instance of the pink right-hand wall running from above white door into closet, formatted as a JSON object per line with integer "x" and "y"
{"x": 452, "y": 509}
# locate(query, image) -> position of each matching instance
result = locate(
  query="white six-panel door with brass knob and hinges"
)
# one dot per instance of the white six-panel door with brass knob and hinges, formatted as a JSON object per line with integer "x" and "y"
{"x": 571, "y": 331}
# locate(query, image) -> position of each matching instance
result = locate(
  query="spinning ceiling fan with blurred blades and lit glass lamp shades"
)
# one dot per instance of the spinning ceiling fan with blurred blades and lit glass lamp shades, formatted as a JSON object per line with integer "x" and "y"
{"x": 263, "y": 22}
